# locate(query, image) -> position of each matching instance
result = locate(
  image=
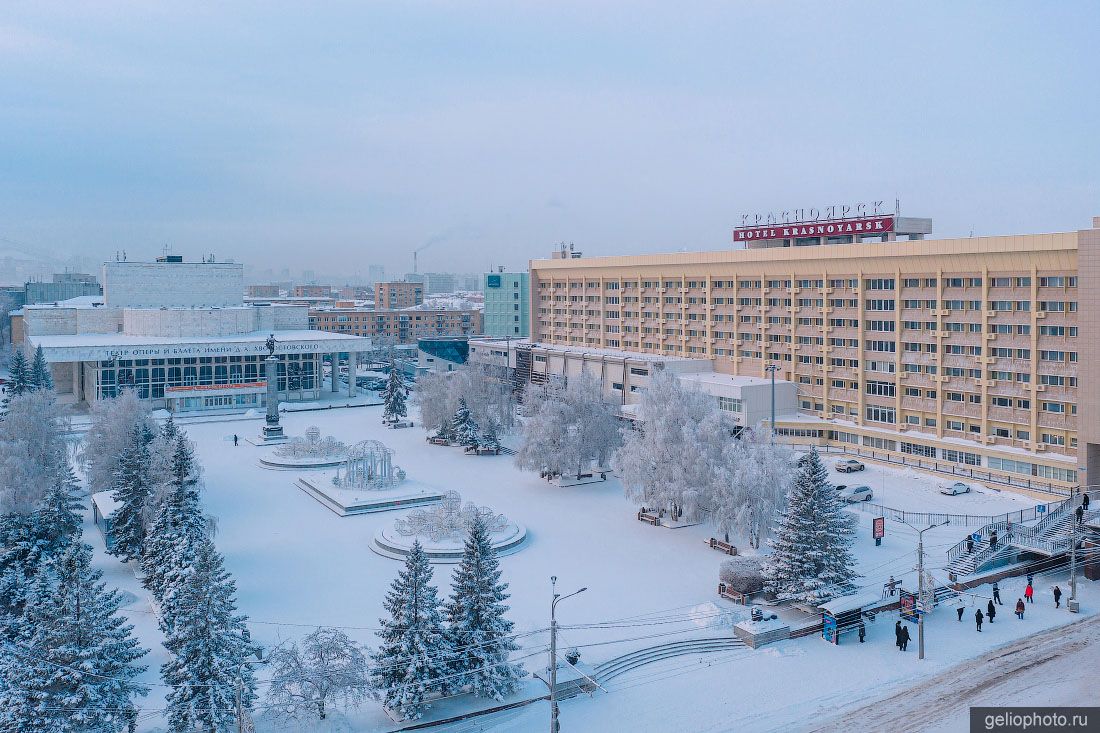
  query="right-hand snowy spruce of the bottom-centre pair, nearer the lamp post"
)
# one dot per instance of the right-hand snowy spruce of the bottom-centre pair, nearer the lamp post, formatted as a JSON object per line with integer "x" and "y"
{"x": 478, "y": 629}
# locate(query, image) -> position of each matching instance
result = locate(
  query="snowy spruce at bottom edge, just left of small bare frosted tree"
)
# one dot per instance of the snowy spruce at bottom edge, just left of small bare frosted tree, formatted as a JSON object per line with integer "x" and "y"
{"x": 210, "y": 644}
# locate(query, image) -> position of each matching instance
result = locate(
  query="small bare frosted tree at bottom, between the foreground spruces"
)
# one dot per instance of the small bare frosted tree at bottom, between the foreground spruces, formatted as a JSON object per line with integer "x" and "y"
{"x": 327, "y": 670}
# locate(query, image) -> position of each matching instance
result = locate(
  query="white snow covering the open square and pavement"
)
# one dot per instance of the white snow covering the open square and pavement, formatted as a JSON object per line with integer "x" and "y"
{"x": 299, "y": 566}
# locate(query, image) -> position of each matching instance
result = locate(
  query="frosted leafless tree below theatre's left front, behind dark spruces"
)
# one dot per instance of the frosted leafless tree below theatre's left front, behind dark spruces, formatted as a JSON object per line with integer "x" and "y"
{"x": 112, "y": 433}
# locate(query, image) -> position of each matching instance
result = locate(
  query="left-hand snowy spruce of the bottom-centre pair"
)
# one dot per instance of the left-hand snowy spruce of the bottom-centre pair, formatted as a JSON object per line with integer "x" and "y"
{"x": 412, "y": 661}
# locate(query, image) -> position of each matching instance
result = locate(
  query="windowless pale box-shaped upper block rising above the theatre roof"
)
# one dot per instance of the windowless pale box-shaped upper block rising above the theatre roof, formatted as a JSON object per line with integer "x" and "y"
{"x": 173, "y": 285}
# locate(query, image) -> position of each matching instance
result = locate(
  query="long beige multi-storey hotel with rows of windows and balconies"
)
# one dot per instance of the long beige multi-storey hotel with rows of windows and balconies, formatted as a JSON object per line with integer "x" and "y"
{"x": 980, "y": 352}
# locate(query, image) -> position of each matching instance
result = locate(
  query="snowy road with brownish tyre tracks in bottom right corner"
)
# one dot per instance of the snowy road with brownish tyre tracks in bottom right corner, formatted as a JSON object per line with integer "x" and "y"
{"x": 1058, "y": 668}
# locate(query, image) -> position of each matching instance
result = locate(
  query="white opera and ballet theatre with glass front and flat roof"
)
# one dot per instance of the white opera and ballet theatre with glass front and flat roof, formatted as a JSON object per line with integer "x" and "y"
{"x": 181, "y": 335}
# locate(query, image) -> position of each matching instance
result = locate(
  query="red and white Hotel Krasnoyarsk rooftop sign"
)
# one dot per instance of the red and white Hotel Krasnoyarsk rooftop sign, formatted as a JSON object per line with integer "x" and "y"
{"x": 828, "y": 222}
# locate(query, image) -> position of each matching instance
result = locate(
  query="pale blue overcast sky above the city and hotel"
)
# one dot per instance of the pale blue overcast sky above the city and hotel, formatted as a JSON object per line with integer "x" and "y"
{"x": 340, "y": 136}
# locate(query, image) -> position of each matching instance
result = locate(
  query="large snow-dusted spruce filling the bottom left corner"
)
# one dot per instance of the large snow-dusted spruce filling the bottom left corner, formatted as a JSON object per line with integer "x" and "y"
{"x": 80, "y": 657}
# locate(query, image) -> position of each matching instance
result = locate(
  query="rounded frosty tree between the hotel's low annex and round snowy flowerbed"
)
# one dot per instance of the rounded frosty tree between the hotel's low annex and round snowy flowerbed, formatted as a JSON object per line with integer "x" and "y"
{"x": 567, "y": 430}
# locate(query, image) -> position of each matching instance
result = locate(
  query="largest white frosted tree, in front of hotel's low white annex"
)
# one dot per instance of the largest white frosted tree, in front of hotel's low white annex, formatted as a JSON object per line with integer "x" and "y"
{"x": 676, "y": 458}
